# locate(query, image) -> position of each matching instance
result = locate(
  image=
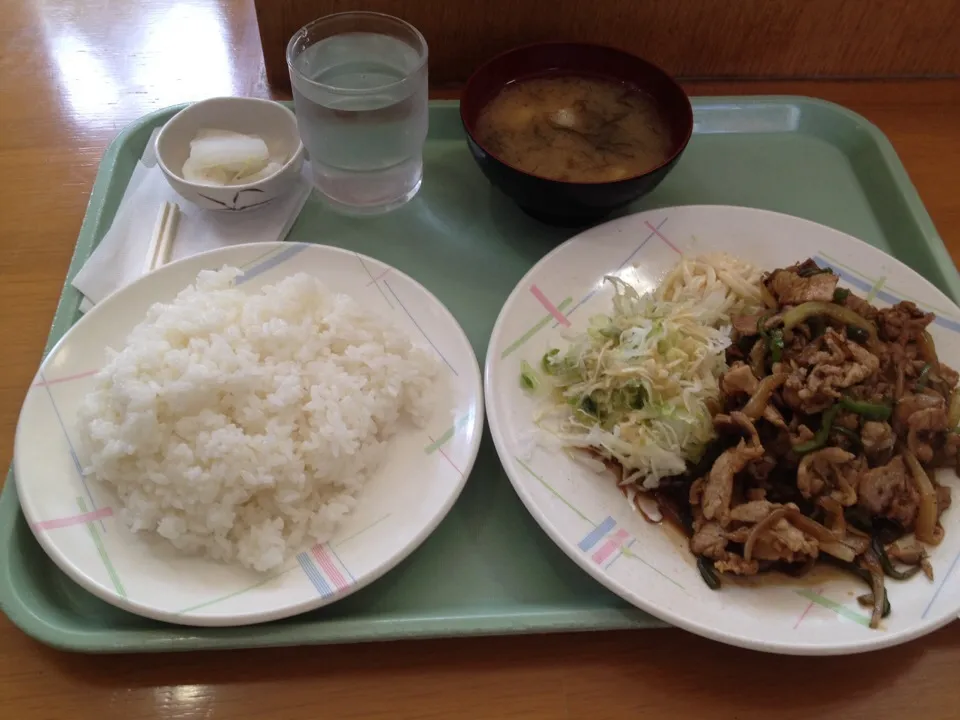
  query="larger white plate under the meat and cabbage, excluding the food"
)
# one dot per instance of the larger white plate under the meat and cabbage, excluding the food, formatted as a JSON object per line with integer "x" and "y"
{"x": 587, "y": 516}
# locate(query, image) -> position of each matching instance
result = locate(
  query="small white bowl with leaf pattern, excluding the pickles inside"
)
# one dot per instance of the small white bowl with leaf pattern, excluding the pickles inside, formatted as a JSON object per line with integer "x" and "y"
{"x": 271, "y": 121}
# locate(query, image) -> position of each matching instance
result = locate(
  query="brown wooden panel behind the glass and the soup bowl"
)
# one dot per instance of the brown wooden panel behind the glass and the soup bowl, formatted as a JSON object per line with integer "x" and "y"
{"x": 688, "y": 38}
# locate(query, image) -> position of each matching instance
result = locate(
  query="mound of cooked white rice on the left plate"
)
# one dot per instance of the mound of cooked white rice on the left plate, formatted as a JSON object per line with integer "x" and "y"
{"x": 242, "y": 427}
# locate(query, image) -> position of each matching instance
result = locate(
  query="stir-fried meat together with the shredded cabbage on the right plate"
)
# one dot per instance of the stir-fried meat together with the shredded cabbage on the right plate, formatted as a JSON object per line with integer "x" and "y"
{"x": 779, "y": 419}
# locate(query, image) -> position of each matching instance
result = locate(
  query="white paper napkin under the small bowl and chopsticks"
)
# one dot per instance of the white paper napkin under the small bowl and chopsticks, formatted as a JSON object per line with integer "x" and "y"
{"x": 120, "y": 257}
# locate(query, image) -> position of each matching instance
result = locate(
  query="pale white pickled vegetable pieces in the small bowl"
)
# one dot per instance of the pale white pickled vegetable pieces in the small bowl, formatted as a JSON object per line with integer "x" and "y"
{"x": 221, "y": 157}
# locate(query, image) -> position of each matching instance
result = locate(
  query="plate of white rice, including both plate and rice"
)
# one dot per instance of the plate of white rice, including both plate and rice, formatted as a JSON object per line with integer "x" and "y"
{"x": 248, "y": 434}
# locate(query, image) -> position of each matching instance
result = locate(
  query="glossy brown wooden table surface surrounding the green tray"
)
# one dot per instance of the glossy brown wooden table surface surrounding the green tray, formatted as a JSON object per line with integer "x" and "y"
{"x": 76, "y": 71}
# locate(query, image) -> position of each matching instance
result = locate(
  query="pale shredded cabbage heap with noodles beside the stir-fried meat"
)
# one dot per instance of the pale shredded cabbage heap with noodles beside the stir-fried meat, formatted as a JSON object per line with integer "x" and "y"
{"x": 640, "y": 384}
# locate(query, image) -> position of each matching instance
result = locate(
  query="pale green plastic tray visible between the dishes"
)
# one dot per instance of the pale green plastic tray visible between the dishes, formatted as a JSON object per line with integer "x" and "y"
{"x": 489, "y": 569}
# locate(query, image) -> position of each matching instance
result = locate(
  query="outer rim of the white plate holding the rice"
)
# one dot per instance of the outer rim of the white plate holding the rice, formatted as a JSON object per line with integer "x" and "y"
{"x": 191, "y": 619}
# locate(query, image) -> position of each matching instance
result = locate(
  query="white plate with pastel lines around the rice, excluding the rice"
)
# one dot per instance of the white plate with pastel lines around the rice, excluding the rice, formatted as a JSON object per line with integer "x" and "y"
{"x": 423, "y": 474}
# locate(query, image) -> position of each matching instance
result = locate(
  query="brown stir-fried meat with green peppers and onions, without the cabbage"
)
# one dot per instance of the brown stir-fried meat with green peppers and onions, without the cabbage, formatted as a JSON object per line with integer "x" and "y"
{"x": 834, "y": 415}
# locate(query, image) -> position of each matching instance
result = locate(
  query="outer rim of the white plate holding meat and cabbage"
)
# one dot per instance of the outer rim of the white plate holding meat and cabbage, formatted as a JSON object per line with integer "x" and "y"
{"x": 883, "y": 640}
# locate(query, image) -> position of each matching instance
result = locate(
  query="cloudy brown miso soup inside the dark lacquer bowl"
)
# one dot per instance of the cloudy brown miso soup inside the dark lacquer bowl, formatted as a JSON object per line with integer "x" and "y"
{"x": 575, "y": 129}
